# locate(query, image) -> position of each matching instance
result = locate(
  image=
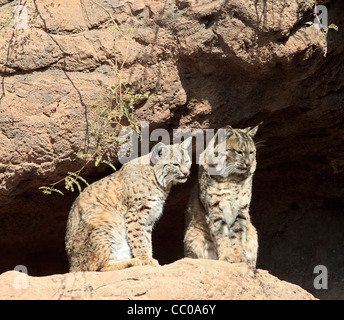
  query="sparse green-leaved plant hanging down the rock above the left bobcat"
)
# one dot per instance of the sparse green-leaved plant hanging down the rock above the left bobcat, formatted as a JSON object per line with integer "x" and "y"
{"x": 113, "y": 112}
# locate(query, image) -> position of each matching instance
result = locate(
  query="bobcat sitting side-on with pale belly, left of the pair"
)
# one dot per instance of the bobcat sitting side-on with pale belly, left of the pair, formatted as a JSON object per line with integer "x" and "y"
{"x": 110, "y": 224}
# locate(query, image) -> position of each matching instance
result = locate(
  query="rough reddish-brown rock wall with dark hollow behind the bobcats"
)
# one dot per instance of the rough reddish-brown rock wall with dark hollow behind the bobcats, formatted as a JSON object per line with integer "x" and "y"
{"x": 205, "y": 64}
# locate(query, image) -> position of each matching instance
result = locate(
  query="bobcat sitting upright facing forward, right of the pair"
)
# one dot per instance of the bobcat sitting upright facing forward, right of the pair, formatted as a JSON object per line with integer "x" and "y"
{"x": 218, "y": 224}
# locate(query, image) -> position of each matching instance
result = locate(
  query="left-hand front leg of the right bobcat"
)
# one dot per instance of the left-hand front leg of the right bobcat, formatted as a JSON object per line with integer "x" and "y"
{"x": 220, "y": 218}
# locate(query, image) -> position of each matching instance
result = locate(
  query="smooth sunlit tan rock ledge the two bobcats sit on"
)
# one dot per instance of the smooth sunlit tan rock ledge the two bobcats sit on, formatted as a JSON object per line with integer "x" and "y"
{"x": 186, "y": 279}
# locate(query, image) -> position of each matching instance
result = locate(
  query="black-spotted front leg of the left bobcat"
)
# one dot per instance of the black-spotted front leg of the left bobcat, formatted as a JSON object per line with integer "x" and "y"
{"x": 140, "y": 236}
